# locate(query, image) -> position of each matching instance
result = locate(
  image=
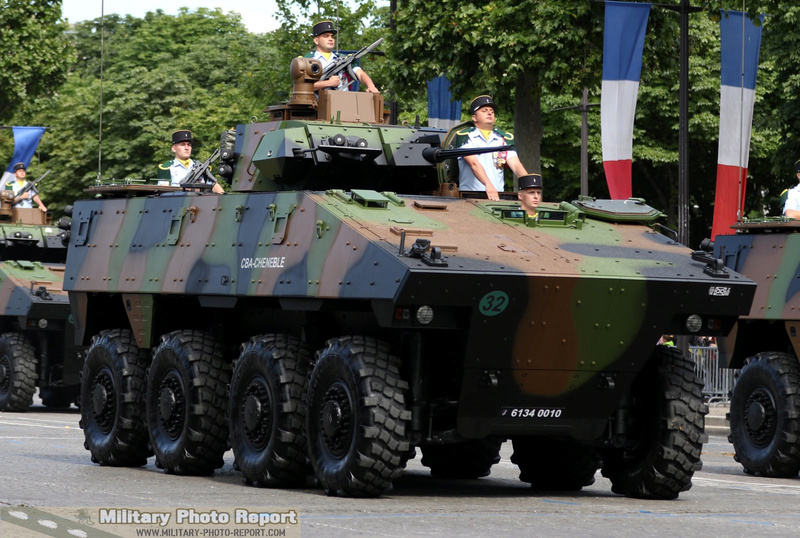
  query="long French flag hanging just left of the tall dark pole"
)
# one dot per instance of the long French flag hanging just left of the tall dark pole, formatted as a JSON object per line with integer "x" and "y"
{"x": 623, "y": 43}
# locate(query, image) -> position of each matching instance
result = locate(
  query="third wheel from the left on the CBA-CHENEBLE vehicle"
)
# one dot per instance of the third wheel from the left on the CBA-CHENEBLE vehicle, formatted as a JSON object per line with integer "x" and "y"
{"x": 267, "y": 411}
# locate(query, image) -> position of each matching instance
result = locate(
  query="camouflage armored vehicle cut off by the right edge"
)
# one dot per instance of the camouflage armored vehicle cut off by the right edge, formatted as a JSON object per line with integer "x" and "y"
{"x": 765, "y": 404}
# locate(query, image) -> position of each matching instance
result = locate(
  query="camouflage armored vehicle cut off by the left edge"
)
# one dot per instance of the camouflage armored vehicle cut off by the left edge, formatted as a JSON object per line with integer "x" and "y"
{"x": 36, "y": 333}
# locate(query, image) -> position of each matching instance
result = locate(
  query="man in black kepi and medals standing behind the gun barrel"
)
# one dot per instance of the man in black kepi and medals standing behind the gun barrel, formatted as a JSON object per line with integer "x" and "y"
{"x": 485, "y": 172}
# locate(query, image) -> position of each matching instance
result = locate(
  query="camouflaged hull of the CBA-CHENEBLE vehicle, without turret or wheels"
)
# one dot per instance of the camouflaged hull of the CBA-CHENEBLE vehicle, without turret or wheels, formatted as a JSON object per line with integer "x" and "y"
{"x": 559, "y": 316}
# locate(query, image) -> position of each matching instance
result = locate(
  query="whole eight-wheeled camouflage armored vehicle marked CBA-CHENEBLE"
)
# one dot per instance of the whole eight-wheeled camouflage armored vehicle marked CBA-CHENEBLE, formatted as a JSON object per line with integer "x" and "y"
{"x": 329, "y": 316}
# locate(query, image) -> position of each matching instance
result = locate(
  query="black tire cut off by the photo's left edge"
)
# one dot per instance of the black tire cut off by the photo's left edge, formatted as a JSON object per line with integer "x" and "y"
{"x": 18, "y": 376}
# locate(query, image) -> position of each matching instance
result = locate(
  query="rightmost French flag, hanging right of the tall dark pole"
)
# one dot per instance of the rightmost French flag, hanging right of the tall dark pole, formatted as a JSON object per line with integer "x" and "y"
{"x": 740, "y": 42}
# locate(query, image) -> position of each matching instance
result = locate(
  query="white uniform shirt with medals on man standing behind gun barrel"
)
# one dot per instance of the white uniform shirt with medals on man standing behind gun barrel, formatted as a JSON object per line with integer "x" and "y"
{"x": 493, "y": 163}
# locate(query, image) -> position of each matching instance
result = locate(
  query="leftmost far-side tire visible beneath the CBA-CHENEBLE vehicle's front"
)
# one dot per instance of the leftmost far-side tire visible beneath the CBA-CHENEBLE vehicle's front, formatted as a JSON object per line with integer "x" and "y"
{"x": 464, "y": 460}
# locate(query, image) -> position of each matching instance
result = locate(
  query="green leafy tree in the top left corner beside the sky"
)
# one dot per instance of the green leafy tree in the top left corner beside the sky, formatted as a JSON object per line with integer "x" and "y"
{"x": 34, "y": 52}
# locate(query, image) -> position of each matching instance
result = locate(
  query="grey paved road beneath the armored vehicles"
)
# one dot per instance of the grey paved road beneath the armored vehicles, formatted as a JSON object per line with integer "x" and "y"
{"x": 43, "y": 464}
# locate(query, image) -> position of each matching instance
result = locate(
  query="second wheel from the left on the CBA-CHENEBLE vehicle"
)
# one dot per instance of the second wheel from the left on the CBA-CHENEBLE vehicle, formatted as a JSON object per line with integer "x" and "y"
{"x": 186, "y": 403}
